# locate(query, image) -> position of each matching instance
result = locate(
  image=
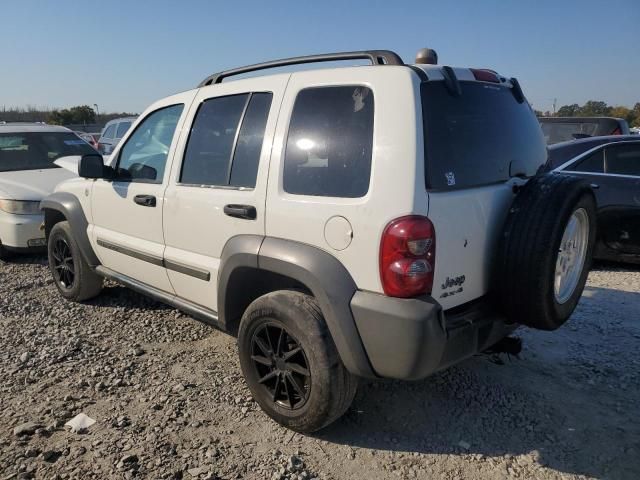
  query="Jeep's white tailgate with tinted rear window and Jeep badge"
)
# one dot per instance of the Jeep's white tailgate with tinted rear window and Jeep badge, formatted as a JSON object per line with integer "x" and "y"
{"x": 476, "y": 144}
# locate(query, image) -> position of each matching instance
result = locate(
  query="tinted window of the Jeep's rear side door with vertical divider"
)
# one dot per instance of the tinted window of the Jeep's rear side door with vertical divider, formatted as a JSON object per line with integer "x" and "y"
{"x": 213, "y": 155}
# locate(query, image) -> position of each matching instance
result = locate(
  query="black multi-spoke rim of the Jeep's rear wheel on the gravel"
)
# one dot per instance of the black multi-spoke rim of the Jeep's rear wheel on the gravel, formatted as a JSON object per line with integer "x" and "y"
{"x": 281, "y": 366}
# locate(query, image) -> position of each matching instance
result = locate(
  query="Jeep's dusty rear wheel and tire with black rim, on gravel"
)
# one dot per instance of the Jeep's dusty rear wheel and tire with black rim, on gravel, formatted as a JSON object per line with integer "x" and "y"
{"x": 328, "y": 387}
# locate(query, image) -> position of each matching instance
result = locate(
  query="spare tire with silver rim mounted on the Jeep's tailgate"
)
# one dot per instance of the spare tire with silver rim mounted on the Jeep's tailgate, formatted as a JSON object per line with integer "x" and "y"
{"x": 545, "y": 251}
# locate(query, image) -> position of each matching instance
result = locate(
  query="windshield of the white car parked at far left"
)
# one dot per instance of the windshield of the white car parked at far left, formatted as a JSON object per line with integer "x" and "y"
{"x": 37, "y": 150}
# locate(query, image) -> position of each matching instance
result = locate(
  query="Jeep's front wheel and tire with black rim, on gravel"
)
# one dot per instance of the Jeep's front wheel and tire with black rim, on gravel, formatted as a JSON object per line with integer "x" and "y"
{"x": 75, "y": 280}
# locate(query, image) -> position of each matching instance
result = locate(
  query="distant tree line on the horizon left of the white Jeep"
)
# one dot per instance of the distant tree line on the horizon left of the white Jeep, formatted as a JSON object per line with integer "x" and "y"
{"x": 78, "y": 115}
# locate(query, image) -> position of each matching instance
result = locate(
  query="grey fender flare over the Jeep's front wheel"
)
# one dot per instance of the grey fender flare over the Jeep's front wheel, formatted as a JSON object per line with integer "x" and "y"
{"x": 69, "y": 206}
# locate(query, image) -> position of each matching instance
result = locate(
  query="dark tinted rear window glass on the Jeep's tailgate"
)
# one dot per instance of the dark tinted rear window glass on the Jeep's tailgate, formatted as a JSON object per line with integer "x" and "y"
{"x": 481, "y": 137}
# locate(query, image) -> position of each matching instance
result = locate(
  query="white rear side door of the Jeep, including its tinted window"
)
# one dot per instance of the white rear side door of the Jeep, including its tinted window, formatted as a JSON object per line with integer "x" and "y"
{"x": 219, "y": 180}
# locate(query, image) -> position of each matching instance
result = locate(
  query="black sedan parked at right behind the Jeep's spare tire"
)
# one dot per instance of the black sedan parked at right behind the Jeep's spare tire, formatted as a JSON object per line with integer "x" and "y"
{"x": 612, "y": 166}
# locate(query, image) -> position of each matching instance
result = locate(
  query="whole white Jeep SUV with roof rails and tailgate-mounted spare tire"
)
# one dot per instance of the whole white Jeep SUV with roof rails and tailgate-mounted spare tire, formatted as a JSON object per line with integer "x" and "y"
{"x": 369, "y": 221}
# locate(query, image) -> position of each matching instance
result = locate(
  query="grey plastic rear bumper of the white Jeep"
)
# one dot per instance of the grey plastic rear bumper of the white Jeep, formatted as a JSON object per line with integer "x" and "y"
{"x": 410, "y": 339}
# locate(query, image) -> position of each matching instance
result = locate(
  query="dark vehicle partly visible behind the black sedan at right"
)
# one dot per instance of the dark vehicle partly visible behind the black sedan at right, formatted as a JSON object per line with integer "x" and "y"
{"x": 562, "y": 129}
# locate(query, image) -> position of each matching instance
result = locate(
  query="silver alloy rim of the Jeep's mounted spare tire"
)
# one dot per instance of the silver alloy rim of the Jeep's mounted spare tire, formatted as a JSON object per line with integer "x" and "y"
{"x": 571, "y": 255}
